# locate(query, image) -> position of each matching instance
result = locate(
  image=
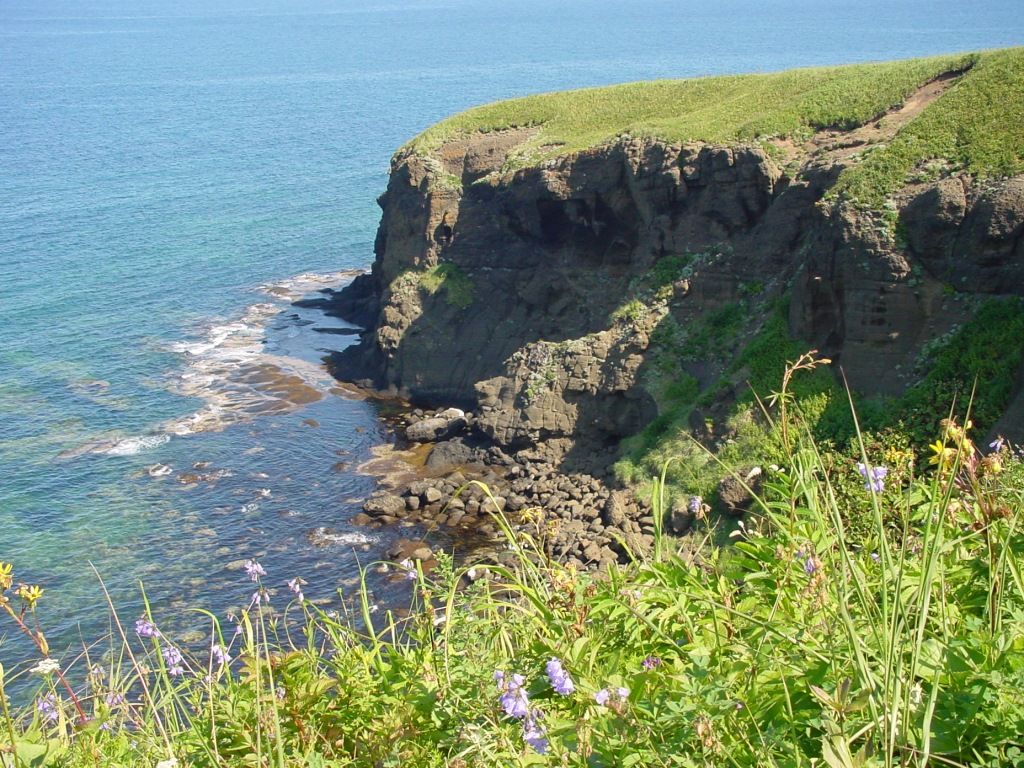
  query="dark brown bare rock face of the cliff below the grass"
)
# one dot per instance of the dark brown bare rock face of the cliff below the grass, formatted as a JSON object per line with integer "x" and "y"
{"x": 533, "y": 295}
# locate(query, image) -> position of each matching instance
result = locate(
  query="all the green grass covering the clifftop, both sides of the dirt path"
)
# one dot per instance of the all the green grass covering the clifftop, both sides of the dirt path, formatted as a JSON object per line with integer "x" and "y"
{"x": 977, "y": 125}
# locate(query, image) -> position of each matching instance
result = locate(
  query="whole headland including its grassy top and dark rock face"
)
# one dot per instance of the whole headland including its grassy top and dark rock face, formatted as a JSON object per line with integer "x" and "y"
{"x": 576, "y": 267}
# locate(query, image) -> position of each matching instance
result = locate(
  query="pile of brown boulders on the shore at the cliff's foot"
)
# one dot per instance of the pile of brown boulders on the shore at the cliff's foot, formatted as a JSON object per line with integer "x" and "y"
{"x": 579, "y": 519}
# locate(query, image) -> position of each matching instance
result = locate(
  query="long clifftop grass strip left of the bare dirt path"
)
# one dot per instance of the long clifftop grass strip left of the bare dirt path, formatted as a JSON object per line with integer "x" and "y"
{"x": 739, "y": 108}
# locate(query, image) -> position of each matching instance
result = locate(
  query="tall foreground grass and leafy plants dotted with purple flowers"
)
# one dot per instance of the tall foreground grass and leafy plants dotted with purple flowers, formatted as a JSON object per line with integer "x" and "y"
{"x": 798, "y": 645}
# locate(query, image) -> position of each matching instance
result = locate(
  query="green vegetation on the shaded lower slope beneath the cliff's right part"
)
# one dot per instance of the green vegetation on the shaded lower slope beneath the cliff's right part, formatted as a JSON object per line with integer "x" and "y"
{"x": 983, "y": 352}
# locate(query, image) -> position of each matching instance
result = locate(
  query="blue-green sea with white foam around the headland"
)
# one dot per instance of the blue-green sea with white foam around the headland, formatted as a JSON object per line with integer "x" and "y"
{"x": 167, "y": 170}
